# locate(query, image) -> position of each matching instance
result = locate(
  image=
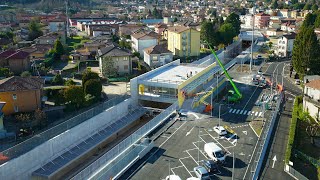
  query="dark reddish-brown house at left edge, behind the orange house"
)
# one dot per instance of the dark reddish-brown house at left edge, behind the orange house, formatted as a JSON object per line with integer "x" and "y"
{"x": 17, "y": 61}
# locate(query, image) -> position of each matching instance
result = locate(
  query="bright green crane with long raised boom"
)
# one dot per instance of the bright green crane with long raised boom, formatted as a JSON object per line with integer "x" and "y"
{"x": 233, "y": 96}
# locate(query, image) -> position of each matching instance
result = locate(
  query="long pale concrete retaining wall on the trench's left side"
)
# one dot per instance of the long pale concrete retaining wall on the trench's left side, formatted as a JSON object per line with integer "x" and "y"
{"x": 23, "y": 166}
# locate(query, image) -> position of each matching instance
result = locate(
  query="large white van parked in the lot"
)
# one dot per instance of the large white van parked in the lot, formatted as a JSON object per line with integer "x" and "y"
{"x": 214, "y": 152}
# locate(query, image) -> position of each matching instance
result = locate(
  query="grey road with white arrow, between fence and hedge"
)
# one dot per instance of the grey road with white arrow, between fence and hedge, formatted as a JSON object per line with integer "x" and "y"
{"x": 273, "y": 167}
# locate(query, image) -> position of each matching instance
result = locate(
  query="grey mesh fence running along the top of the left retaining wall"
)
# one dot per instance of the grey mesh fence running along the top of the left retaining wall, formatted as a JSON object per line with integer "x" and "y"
{"x": 38, "y": 139}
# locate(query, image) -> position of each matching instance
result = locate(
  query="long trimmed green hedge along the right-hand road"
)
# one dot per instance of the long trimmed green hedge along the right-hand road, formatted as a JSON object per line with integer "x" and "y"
{"x": 293, "y": 125}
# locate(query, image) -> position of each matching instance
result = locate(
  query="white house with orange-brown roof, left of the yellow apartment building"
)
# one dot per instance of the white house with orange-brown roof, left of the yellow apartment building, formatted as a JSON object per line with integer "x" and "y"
{"x": 142, "y": 40}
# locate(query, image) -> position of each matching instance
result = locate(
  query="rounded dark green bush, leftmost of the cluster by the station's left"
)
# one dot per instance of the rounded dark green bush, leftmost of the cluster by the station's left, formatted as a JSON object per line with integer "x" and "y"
{"x": 74, "y": 96}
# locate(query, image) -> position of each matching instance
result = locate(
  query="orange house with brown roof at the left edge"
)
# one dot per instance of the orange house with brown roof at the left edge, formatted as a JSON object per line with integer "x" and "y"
{"x": 21, "y": 94}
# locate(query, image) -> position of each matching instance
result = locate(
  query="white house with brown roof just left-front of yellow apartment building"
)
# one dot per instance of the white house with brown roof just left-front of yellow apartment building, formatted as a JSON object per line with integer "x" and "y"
{"x": 157, "y": 55}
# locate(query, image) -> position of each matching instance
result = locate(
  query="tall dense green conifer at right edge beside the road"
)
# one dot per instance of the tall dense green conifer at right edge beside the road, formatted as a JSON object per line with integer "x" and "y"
{"x": 306, "y": 52}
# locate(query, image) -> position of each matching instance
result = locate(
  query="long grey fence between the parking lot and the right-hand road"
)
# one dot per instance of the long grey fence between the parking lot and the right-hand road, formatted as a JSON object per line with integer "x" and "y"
{"x": 265, "y": 138}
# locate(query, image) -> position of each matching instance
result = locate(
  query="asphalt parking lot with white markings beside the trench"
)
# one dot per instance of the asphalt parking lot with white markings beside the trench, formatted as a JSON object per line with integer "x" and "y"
{"x": 181, "y": 147}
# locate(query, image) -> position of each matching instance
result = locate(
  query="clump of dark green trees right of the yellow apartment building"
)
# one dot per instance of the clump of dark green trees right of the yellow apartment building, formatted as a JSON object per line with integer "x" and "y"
{"x": 217, "y": 32}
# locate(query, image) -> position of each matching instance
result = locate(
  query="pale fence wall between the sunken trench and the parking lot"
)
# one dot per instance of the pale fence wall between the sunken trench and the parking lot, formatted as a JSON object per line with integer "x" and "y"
{"x": 125, "y": 144}
